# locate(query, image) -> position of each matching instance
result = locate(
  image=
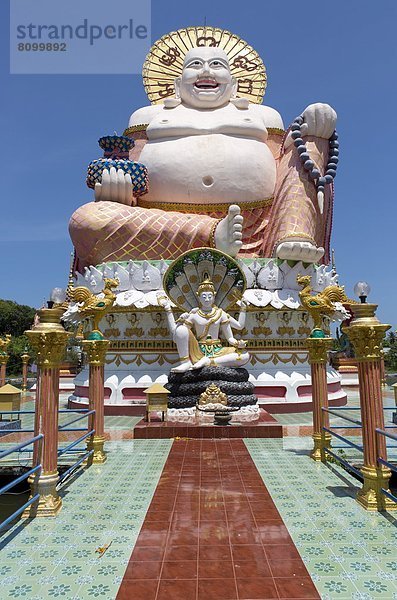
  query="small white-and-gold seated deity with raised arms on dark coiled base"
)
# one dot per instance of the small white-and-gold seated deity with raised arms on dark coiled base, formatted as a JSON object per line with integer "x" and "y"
{"x": 196, "y": 333}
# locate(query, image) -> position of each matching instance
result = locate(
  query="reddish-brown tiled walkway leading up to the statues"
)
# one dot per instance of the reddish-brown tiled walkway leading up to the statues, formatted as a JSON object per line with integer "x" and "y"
{"x": 212, "y": 532}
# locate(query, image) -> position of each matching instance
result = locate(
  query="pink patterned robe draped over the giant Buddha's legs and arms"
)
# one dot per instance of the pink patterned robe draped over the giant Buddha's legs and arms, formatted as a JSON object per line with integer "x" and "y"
{"x": 108, "y": 231}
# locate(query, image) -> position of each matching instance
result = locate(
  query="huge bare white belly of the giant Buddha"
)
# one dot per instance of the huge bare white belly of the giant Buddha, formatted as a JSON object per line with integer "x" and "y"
{"x": 209, "y": 169}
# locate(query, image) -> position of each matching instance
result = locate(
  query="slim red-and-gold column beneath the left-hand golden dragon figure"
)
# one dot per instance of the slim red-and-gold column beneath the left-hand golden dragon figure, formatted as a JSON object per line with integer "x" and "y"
{"x": 96, "y": 353}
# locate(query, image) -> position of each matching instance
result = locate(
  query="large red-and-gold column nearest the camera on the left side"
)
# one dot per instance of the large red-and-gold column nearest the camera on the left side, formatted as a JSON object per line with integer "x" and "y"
{"x": 49, "y": 340}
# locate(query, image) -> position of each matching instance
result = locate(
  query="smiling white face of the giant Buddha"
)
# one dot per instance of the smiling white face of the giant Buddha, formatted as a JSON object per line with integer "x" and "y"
{"x": 206, "y": 81}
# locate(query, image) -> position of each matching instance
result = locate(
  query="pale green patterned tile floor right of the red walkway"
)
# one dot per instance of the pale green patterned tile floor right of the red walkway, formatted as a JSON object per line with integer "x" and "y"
{"x": 348, "y": 552}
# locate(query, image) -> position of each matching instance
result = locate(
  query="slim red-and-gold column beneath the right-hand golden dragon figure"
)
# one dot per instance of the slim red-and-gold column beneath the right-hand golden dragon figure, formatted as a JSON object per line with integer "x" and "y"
{"x": 318, "y": 359}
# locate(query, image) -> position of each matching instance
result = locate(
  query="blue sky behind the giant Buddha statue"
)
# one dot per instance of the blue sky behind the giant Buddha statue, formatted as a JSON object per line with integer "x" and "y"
{"x": 343, "y": 53}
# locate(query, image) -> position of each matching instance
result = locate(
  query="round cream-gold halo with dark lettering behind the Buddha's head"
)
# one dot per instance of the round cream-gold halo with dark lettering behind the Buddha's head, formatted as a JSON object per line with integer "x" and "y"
{"x": 164, "y": 62}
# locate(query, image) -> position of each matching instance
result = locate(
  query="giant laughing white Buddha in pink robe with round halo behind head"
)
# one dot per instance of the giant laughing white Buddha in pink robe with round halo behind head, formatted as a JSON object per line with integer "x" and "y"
{"x": 222, "y": 171}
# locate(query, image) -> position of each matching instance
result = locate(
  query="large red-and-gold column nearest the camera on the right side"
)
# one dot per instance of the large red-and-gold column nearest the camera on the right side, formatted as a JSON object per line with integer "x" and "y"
{"x": 366, "y": 334}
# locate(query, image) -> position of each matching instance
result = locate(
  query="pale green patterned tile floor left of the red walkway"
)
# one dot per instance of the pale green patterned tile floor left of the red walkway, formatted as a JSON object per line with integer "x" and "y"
{"x": 106, "y": 505}
